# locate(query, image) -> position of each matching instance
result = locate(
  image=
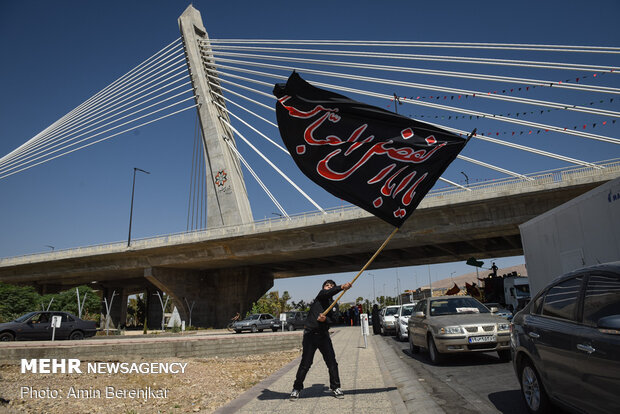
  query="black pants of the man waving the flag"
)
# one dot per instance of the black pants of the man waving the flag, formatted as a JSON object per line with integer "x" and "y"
{"x": 311, "y": 342}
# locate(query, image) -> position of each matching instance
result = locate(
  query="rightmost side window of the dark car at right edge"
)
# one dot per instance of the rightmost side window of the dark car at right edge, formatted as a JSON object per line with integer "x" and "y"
{"x": 602, "y": 298}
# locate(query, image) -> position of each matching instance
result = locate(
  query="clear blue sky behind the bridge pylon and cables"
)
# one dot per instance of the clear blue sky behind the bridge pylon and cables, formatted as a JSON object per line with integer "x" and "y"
{"x": 57, "y": 54}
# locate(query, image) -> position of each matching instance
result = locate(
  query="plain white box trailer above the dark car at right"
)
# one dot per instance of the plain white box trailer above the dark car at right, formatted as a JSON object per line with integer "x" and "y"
{"x": 582, "y": 232}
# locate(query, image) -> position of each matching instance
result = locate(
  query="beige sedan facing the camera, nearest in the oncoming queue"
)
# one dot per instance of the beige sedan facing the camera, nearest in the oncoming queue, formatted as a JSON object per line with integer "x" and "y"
{"x": 457, "y": 324}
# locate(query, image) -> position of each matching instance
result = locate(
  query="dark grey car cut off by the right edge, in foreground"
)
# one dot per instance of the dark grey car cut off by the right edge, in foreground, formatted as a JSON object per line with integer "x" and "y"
{"x": 566, "y": 343}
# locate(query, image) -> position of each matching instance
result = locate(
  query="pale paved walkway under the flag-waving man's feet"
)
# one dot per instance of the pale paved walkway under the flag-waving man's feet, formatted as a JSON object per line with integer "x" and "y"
{"x": 373, "y": 380}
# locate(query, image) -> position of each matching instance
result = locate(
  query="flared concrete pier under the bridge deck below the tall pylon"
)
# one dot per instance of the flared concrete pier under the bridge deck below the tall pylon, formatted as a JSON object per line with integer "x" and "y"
{"x": 214, "y": 296}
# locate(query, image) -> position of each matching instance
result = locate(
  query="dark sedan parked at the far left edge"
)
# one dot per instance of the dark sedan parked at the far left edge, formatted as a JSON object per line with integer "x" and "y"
{"x": 35, "y": 326}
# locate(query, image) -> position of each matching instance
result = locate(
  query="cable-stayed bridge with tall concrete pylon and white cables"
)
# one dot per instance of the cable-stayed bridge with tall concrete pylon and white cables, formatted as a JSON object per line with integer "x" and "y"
{"x": 234, "y": 261}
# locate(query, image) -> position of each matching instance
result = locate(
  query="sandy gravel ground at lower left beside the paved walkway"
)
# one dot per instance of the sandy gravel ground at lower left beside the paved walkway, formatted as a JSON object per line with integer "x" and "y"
{"x": 206, "y": 385}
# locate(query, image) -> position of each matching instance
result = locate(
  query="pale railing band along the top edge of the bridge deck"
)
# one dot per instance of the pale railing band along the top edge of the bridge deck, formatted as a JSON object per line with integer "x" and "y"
{"x": 558, "y": 176}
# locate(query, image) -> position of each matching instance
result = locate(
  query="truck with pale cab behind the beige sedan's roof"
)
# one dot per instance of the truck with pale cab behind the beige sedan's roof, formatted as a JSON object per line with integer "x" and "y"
{"x": 510, "y": 290}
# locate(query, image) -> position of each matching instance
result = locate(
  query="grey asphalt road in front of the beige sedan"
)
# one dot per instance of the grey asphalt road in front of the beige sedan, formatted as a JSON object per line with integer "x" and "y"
{"x": 468, "y": 383}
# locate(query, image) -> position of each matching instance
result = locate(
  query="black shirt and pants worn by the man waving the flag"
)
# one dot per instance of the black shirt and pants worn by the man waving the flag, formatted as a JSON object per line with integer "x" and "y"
{"x": 316, "y": 336}
